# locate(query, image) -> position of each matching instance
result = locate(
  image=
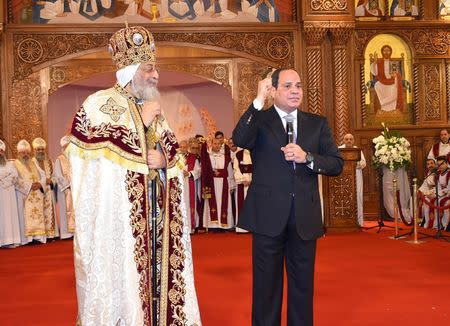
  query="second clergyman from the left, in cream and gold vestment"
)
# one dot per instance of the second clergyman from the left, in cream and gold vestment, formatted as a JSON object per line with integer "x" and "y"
{"x": 30, "y": 197}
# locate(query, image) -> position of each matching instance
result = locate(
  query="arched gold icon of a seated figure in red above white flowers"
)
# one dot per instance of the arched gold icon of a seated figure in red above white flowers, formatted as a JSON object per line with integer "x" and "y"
{"x": 388, "y": 81}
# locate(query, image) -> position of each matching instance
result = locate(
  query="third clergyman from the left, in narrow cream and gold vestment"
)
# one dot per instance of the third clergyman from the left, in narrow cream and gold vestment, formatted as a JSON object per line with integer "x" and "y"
{"x": 46, "y": 165}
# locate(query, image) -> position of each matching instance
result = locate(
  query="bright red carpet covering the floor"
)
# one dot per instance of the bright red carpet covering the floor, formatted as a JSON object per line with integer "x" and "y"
{"x": 362, "y": 278}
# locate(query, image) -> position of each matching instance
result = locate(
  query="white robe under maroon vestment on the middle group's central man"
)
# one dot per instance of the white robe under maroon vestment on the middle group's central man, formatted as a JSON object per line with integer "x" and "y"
{"x": 217, "y": 163}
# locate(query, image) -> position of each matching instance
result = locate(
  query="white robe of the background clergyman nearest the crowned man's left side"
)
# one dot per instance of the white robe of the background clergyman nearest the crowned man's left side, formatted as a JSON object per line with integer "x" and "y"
{"x": 61, "y": 175}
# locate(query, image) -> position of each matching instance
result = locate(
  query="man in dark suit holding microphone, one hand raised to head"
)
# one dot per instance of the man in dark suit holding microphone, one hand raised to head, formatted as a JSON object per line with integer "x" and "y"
{"x": 282, "y": 207}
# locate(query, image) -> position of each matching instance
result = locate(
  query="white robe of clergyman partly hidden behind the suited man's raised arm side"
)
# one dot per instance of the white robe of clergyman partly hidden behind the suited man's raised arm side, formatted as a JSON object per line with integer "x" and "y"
{"x": 239, "y": 178}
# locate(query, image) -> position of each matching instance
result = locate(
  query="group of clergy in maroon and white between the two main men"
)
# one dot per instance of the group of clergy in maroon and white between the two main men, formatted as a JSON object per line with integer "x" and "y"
{"x": 217, "y": 176}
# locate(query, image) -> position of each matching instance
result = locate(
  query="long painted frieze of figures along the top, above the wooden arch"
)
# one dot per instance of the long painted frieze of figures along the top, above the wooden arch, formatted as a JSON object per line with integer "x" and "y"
{"x": 151, "y": 11}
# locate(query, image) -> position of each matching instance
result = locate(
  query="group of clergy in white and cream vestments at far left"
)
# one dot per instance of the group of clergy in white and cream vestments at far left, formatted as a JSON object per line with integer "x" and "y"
{"x": 36, "y": 203}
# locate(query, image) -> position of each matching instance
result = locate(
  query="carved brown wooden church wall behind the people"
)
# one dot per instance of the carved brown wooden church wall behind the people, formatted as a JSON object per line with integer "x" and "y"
{"x": 323, "y": 40}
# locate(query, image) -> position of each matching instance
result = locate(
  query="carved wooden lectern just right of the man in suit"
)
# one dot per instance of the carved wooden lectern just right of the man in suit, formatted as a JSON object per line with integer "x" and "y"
{"x": 342, "y": 190}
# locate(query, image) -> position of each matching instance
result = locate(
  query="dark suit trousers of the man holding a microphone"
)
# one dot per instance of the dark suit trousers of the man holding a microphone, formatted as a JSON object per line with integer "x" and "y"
{"x": 269, "y": 256}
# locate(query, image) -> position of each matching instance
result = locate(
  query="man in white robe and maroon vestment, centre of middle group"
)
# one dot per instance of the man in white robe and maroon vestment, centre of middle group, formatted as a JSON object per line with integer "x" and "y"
{"x": 217, "y": 213}
